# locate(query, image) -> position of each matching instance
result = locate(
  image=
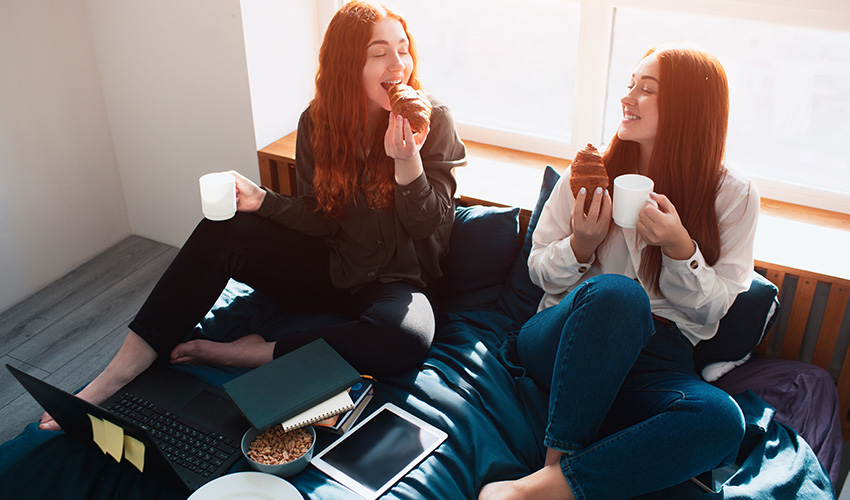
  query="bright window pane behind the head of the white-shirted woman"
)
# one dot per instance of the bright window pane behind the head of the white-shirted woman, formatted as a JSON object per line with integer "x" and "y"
{"x": 789, "y": 95}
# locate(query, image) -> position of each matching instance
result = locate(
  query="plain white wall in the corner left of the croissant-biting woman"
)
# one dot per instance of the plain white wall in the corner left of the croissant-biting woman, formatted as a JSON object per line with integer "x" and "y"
{"x": 110, "y": 110}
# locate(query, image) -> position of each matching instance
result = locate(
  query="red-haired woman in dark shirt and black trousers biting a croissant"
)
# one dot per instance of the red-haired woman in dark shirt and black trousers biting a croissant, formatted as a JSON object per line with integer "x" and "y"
{"x": 363, "y": 239}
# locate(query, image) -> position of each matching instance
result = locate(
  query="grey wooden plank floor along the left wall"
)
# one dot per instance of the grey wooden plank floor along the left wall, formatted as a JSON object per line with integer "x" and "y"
{"x": 67, "y": 332}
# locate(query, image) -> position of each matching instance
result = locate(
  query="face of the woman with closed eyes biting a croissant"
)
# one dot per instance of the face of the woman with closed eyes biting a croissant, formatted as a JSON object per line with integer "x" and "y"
{"x": 388, "y": 61}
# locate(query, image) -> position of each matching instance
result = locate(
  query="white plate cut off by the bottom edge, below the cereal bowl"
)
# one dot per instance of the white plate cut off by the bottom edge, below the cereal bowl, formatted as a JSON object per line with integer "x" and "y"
{"x": 247, "y": 486}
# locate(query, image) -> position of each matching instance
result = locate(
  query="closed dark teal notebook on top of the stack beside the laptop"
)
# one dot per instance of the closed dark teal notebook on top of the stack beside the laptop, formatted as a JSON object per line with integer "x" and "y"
{"x": 291, "y": 384}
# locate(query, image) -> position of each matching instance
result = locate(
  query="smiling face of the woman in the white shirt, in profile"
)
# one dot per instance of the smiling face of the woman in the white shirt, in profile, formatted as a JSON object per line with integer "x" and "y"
{"x": 640, "y": 105}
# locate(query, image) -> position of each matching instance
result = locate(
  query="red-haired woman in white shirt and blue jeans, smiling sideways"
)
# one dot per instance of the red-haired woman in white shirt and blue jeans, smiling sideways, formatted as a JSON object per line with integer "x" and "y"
{"x": 612, "y": 341}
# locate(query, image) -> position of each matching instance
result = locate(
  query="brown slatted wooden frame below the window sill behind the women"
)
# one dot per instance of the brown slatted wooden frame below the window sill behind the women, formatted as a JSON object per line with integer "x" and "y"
{"x": 277, "y": 172}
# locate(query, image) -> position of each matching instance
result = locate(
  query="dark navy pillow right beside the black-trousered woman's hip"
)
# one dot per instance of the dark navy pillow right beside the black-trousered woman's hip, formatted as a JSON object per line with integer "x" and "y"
{"x": 483, "y": 247}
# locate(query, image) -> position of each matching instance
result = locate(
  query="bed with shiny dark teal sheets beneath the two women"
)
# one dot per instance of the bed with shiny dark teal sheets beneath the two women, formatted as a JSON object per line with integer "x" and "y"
{"x": 472, "y": 388}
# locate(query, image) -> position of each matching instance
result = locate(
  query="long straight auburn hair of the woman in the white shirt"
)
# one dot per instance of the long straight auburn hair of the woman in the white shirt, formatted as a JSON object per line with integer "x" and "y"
{"x": 687, "y": 154}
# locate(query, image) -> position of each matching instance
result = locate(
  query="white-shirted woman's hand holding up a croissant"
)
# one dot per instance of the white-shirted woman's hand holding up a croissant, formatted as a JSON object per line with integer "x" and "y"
{"x": 591, "y": 228}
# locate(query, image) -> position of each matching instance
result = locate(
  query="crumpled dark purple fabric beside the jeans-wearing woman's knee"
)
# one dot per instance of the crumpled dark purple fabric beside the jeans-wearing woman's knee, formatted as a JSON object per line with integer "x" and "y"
{"x": 805, "y": 399}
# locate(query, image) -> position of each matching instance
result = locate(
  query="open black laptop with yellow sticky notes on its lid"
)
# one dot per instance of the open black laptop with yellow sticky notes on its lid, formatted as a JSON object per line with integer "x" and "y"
{"x": 191, "y": 430}
